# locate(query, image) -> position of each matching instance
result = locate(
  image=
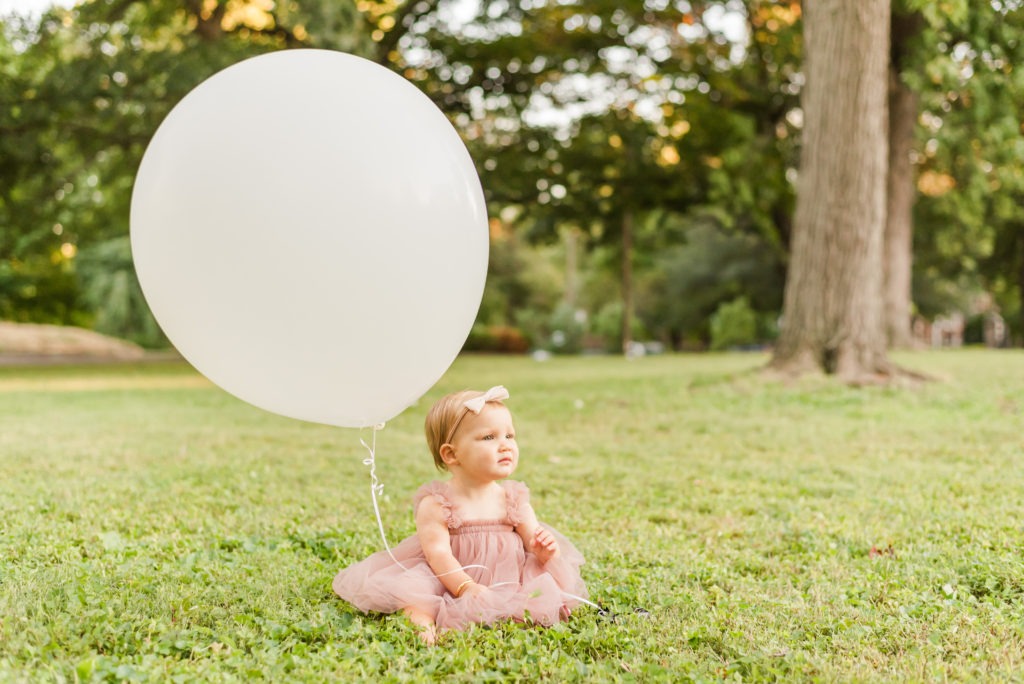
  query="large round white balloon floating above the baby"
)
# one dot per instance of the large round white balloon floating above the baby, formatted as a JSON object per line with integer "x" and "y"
{"x": 311, "y": 234}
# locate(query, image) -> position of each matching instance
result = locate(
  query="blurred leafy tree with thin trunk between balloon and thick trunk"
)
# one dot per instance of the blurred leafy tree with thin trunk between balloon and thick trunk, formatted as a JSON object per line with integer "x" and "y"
{"x": 595, "y": 115}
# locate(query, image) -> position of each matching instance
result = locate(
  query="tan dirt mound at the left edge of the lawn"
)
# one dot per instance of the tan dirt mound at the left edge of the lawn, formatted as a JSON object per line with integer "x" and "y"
{"x": 35, "y": 343}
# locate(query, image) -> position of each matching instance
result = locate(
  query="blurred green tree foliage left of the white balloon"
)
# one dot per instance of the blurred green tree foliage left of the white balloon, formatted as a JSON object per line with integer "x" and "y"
{"x": 88, "y": 89}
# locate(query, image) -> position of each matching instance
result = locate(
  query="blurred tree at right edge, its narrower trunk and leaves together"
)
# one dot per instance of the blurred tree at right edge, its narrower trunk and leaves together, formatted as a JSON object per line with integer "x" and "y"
{"x": 944, "y": 56}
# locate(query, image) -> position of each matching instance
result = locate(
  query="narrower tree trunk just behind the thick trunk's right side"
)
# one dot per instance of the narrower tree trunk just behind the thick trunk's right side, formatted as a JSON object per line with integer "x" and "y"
{"x": 900, "y": 207}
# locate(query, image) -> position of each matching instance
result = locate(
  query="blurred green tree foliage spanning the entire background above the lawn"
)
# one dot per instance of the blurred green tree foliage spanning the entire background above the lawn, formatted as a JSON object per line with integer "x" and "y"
{"x": 665, "y": 136}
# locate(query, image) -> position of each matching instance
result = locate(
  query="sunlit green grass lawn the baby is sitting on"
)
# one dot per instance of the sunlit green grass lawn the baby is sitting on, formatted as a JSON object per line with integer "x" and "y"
{"x": 154, "y": 528}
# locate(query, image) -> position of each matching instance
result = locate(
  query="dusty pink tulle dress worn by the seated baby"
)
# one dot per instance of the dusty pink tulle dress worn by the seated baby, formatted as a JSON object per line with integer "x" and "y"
{"x": 522, "y": 588}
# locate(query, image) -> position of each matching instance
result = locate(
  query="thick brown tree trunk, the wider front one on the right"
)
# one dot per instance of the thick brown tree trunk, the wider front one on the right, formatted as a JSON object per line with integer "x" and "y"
{"x": 833, "y": 313}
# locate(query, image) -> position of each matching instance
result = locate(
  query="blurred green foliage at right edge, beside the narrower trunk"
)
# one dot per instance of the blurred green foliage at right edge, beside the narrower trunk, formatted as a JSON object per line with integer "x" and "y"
{"x": 970, "y": 158}
